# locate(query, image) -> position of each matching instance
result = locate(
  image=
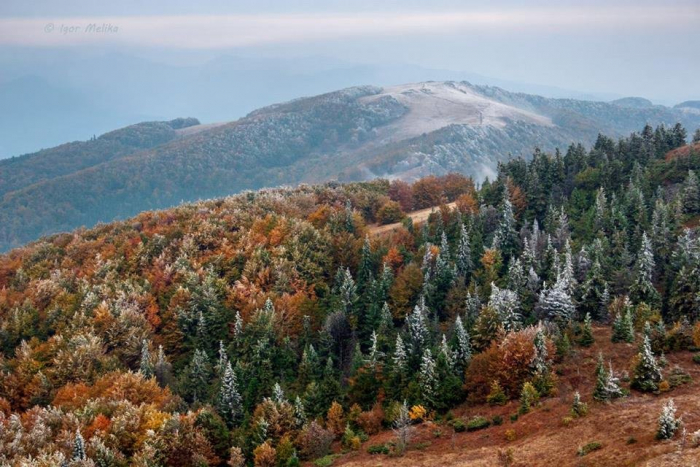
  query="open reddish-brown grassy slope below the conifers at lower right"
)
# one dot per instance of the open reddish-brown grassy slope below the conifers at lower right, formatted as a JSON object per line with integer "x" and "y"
{"x": 543, "y": 440}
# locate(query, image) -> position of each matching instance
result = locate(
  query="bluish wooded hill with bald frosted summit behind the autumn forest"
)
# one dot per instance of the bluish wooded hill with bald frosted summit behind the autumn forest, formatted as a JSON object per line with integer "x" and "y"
{"x": 358, "y": 133}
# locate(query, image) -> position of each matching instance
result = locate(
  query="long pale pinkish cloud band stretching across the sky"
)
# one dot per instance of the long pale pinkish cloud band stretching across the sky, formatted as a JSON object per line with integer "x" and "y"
{"x": 227, "y": 31}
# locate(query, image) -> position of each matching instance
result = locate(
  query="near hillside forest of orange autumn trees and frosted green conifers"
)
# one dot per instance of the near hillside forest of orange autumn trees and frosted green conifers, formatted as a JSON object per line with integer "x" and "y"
{"x": 270, "y": 328}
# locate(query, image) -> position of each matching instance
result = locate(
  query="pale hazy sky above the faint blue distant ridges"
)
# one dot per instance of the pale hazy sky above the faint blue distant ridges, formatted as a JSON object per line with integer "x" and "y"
{"x": 620, "y": 47}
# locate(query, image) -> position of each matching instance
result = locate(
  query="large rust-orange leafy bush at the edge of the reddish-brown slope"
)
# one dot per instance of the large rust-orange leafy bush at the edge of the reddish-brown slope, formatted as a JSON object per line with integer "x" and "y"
{"x": 508, "y": 361}
